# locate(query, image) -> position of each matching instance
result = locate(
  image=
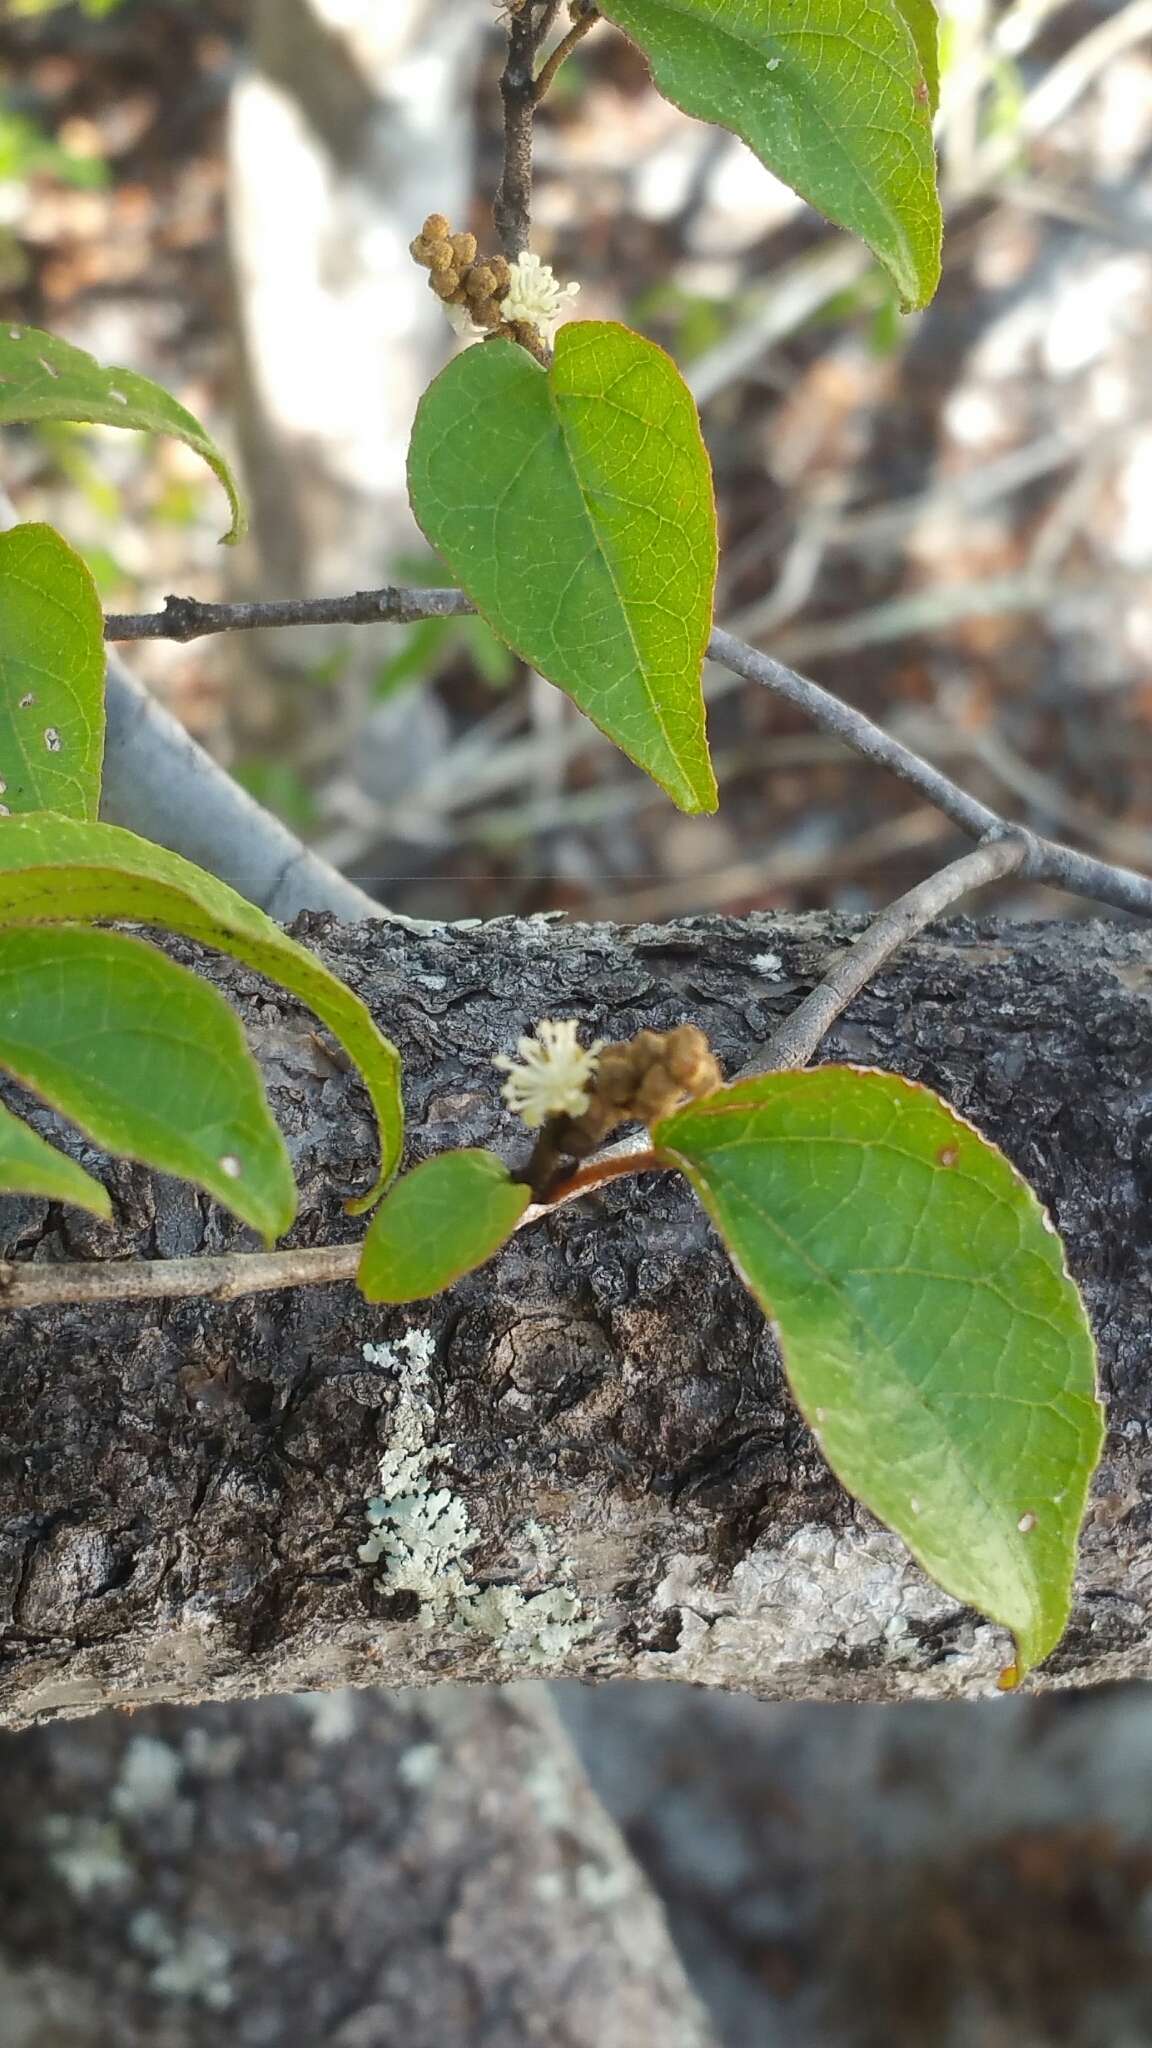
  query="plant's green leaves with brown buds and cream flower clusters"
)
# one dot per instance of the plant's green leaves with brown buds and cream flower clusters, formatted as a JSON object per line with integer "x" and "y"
{"x": 925, "y": 1316}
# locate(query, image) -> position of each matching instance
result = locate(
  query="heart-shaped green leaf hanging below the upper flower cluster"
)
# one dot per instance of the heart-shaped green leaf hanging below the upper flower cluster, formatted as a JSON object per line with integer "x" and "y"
{"x": 575, "y": 507}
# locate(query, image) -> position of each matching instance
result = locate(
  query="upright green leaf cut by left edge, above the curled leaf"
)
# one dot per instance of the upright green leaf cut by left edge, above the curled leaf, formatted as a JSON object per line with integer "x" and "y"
{"x": 52, "y": 677}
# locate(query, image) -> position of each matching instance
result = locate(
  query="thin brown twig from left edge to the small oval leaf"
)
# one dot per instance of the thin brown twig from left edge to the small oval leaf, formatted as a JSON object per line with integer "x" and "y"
{"x": 216, "y": 1279}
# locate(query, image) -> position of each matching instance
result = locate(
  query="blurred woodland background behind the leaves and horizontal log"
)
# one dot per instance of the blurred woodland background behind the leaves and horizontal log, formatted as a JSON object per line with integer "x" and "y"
{"x": 946, "y": 519}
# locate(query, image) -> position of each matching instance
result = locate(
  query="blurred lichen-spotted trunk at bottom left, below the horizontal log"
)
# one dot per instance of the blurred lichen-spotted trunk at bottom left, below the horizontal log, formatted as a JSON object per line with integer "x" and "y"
{"x": 335, "y": 1869}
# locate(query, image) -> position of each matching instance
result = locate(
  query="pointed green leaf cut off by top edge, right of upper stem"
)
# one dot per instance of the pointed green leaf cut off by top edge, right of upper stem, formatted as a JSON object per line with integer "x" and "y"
{"x": 829, "y": 95}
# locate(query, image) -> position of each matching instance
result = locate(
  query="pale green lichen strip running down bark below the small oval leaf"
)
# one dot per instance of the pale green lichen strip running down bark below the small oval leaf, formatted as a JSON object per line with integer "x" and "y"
{"x": 423, "y": 1535}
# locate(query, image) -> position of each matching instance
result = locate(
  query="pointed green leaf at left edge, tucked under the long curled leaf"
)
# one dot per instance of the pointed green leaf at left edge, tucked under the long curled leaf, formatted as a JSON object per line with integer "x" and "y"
{"x": 147, "y": 1060}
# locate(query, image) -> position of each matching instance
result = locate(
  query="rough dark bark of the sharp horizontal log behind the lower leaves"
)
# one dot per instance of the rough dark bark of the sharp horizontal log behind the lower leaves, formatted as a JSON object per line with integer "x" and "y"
{"x": 610, "y": 1478}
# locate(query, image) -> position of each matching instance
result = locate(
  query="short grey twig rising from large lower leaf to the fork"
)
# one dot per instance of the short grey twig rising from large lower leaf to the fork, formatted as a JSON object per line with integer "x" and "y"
{"x": 800, "y": 1035}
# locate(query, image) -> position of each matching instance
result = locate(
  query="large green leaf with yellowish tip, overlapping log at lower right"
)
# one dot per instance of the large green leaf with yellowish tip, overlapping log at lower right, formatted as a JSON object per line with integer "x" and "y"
{"x": 928, "y": 1324}
